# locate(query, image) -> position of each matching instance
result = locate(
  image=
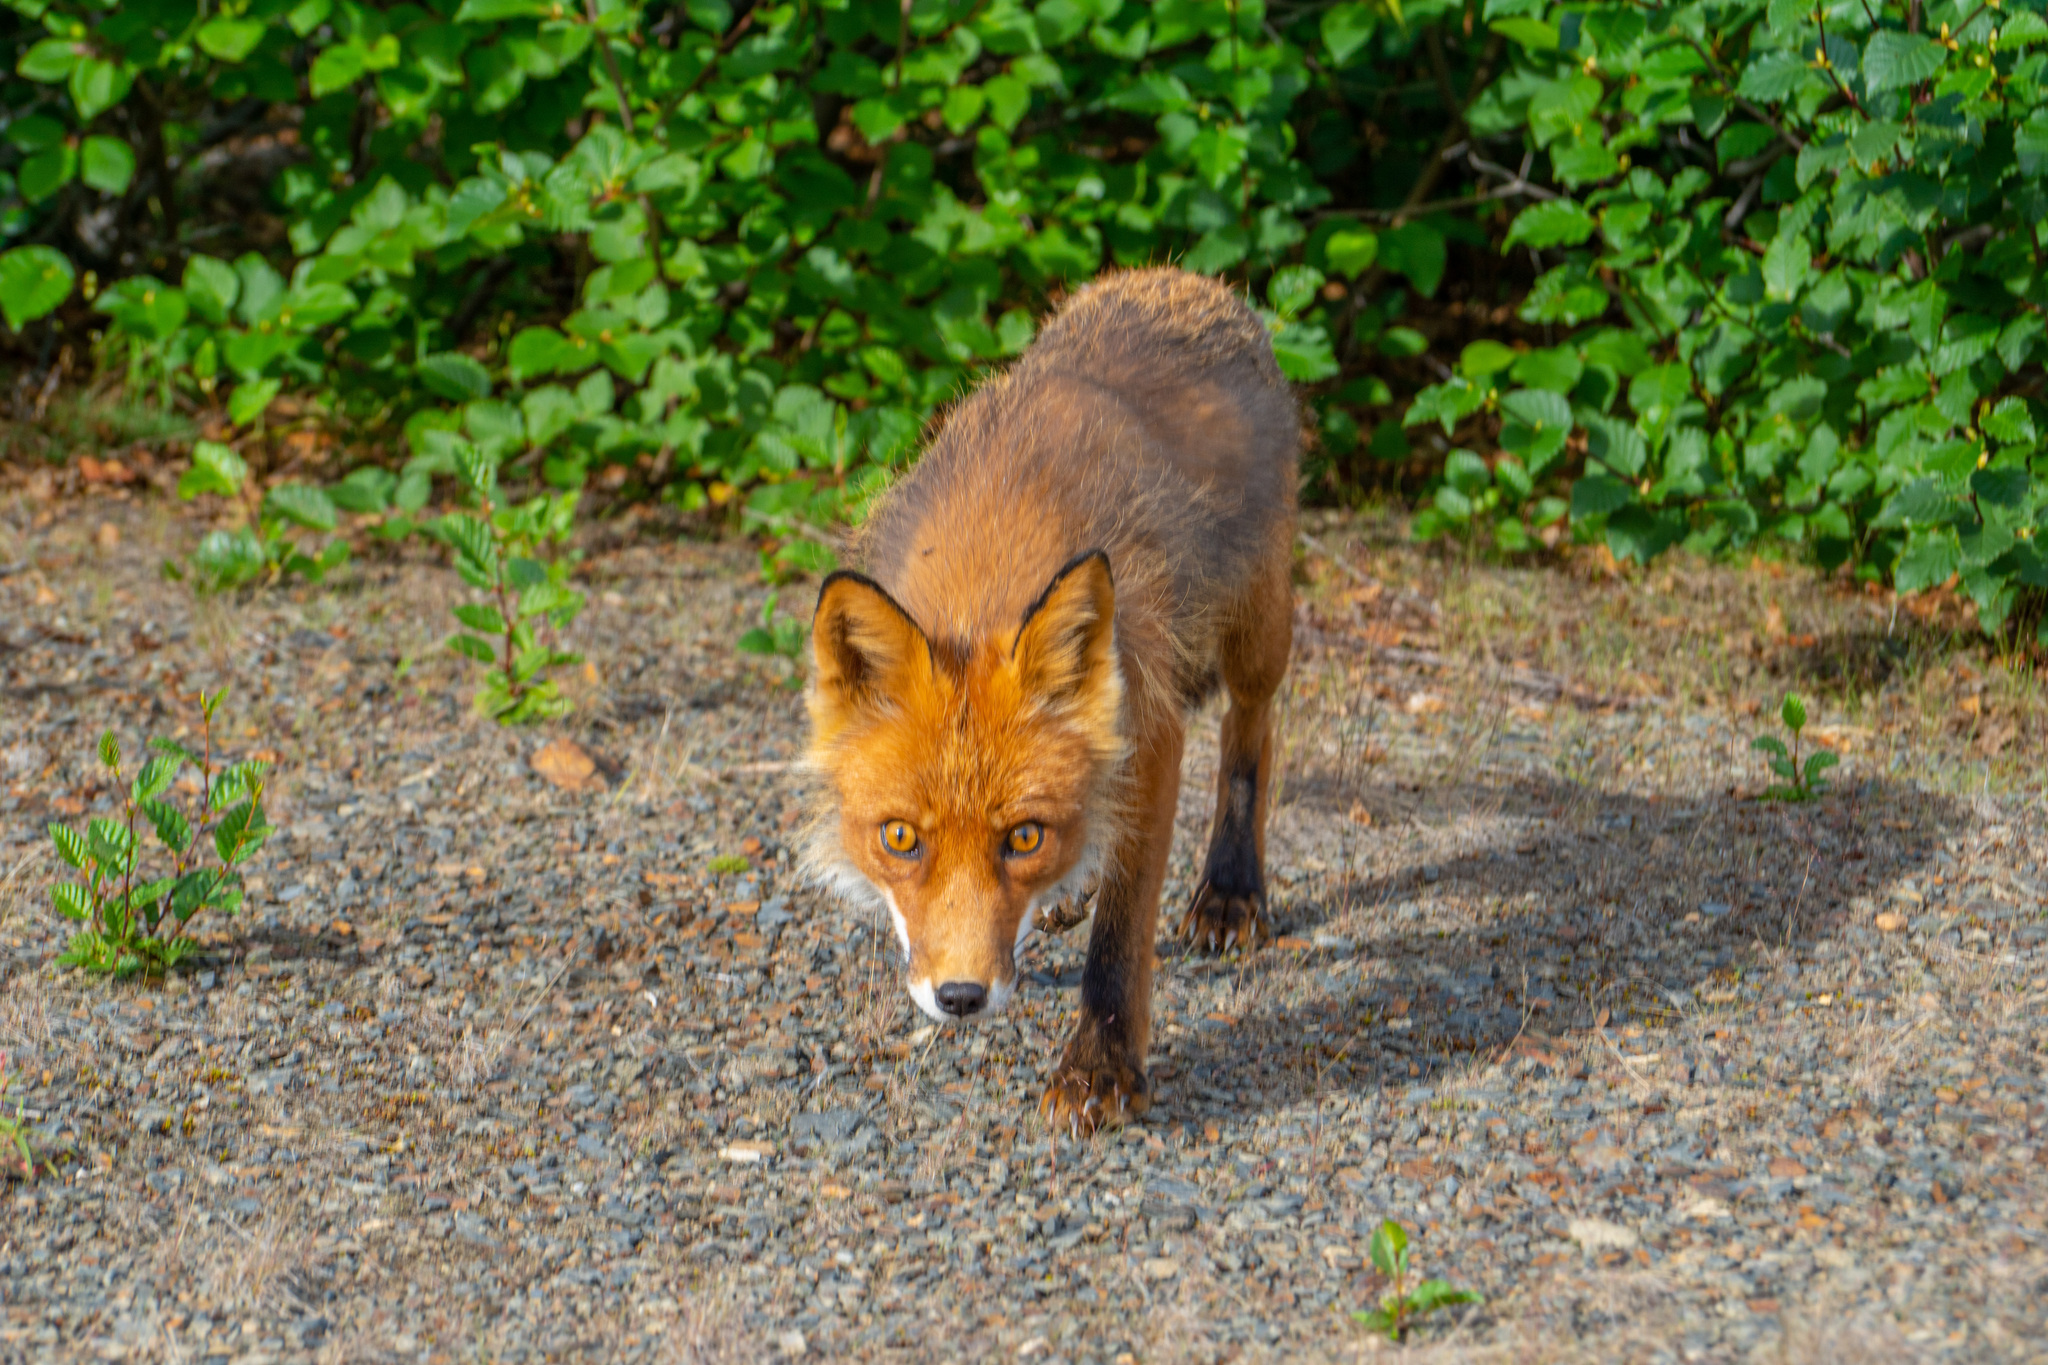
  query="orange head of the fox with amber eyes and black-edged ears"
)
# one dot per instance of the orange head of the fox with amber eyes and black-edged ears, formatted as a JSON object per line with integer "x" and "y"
{"x": 974, "y": 781}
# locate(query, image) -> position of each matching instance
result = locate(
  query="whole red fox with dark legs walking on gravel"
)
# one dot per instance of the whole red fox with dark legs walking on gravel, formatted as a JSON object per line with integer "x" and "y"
{"x": 1089, "y": 549}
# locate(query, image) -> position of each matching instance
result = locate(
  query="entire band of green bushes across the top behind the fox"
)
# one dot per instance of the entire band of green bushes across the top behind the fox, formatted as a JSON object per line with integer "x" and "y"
{"x": 1777, "y": 265}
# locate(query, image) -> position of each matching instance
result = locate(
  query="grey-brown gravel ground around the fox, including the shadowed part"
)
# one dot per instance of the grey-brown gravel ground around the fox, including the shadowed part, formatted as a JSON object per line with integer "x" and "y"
{"x": 501, "y": 1071}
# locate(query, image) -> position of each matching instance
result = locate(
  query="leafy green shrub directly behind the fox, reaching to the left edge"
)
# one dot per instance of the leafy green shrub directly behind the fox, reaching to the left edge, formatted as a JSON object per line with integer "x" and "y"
{"x": 740, "y": 251}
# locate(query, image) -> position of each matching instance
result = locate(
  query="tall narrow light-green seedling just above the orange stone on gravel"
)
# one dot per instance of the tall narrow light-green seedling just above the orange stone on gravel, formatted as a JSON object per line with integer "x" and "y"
{"x": 501, "y": 549}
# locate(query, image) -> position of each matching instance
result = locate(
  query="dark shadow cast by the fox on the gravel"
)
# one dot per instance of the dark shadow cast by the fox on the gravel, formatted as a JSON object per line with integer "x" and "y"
{"x": 1625, "y": 910}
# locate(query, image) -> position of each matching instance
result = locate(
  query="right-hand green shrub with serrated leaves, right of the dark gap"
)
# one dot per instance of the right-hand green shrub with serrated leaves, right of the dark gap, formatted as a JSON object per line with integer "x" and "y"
{"x": 1797, "y": 269}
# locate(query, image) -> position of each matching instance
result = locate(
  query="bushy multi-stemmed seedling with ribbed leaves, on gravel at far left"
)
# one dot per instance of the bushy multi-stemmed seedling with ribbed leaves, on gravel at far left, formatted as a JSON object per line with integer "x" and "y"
{"x": 140, "y": 926}
